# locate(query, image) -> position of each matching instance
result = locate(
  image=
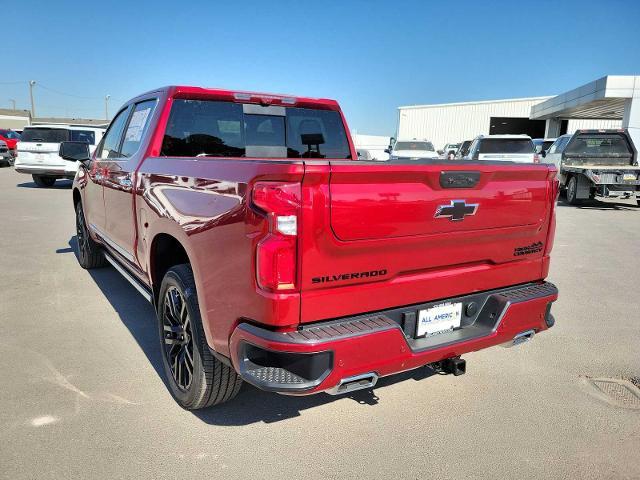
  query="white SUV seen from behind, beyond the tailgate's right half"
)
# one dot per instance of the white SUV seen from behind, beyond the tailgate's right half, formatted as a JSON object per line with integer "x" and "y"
{"x": 503, "y": 148}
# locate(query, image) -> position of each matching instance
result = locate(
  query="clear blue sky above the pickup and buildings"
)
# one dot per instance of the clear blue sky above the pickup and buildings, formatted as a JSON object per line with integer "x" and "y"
{"x": 372, "y": 56}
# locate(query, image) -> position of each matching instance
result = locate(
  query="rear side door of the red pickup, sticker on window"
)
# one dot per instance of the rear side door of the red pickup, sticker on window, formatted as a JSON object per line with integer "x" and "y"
{"x": 120, "y": 226}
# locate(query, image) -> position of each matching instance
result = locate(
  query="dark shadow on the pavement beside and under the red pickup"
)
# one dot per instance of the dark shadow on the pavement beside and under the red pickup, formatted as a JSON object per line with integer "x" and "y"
{"x": 251, "y": 405}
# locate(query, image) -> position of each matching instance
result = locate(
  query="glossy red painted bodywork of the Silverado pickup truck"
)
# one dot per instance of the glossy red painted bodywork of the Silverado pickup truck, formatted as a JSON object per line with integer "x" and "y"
{"x": 352, "y": 217}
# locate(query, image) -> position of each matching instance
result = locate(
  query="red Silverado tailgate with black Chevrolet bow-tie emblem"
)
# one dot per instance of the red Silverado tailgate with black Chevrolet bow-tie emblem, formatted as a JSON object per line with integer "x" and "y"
{"x": 382, "y": 236}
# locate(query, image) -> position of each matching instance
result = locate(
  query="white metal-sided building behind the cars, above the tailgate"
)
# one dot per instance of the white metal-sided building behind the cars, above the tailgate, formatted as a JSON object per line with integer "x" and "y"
{"x": 456, "y": 122}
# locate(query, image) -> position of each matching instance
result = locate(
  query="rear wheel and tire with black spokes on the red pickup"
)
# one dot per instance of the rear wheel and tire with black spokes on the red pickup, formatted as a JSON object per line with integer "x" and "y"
{"x": 196, "y": 378}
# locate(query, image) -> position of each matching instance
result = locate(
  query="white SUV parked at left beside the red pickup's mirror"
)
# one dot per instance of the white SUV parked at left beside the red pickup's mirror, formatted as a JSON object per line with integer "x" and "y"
{"x": 38, "y": 151}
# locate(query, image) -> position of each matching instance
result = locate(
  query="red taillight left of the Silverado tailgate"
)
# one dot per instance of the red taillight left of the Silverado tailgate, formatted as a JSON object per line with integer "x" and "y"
{"x": 276, "y": 262}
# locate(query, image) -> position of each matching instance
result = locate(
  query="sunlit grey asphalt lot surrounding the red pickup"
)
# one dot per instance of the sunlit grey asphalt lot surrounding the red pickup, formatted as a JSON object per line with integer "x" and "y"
{"x": 82, "y": 393}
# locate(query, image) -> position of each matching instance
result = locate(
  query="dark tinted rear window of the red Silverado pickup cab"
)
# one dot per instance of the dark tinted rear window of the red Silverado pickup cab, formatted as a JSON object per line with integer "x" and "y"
{"x": 223, "y": 129}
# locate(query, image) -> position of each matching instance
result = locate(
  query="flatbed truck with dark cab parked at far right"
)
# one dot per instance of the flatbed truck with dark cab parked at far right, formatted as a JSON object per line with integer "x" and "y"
{"x": 596, "y": 163}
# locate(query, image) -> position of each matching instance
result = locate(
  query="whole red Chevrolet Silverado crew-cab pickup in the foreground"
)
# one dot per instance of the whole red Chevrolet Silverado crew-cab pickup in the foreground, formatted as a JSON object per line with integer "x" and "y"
{"x": 274, "y": 256}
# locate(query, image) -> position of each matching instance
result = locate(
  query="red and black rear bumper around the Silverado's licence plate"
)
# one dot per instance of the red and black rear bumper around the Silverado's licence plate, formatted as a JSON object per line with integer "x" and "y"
{"x": 319, "y": 356}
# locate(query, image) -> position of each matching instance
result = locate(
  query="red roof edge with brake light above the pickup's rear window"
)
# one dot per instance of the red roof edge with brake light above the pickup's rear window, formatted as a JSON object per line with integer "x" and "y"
{"x": 193, "y": 92}
